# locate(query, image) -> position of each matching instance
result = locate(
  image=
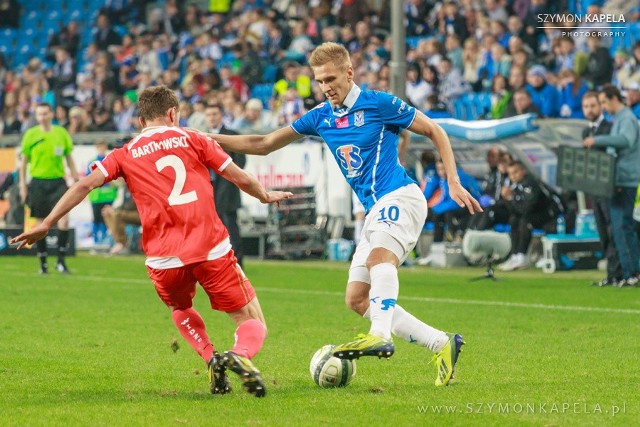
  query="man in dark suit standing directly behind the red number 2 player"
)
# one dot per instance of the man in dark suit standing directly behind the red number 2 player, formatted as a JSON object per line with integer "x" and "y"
{"x": 226, "y": 194}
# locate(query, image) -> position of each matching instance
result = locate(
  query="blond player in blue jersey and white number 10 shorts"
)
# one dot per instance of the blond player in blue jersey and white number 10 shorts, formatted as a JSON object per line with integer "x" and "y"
{"x": 361, "y": 129}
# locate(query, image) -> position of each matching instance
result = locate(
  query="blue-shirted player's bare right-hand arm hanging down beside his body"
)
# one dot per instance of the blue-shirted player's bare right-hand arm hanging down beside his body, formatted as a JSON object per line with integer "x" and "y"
{"x": 425, "y": 126}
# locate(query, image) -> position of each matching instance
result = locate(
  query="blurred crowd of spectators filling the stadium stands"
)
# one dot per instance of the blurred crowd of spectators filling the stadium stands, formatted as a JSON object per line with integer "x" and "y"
{"x": 468, "y": 59}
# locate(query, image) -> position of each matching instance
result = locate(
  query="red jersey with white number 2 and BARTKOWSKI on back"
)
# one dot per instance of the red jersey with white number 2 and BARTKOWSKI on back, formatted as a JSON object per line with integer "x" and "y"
{"x": 166, "y": 170}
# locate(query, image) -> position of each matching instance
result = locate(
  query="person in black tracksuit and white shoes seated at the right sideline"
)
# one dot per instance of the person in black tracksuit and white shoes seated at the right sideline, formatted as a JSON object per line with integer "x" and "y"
{"x": 529, "y": 208}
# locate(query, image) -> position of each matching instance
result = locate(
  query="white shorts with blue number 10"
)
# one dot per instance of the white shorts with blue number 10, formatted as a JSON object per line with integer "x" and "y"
{"x": 400, "y": 216}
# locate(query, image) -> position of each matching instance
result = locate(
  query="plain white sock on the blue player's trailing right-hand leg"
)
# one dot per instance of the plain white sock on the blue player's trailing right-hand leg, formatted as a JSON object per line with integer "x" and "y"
{"x": 404, "y": 325}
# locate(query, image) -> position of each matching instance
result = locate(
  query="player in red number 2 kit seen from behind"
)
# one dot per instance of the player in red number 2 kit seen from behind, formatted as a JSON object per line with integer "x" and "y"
{"x": 166, "y": 170}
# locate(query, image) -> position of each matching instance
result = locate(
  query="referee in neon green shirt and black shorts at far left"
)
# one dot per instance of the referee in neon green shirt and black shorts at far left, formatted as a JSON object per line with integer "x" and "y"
{"x": 43, "y": 147}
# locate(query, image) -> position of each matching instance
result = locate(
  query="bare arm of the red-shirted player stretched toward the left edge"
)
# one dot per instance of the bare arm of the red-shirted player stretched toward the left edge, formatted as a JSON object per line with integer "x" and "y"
{"x": 69, "y": 200}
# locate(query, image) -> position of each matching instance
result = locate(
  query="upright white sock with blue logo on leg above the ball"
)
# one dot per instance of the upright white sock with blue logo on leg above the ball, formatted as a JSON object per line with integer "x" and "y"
{"x": 382, "y": 298}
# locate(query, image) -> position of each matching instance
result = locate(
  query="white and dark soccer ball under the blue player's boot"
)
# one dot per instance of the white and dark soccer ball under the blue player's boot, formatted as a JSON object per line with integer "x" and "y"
{"x": 329, "y": 371}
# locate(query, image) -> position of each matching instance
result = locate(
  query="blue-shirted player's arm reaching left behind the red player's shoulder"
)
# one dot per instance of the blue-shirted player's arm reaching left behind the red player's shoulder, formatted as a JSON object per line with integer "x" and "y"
{"x": 257, "y": 144}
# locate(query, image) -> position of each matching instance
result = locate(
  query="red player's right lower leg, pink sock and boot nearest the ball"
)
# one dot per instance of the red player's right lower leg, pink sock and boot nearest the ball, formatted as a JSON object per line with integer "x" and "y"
{"x": 250, "y": 336}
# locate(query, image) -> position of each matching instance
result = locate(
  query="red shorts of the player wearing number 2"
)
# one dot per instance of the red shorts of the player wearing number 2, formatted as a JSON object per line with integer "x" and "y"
{"x": 222, "y": 279}
